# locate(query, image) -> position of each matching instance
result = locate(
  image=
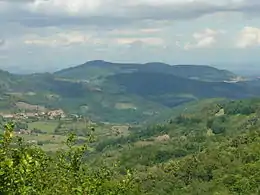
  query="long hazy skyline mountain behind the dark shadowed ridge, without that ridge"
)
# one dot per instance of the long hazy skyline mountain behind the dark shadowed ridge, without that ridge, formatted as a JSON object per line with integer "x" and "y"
{"x": 96, "y": 69}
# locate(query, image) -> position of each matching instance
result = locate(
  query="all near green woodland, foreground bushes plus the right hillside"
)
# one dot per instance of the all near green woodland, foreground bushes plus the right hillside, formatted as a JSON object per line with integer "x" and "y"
{"x": 213, "y": 150}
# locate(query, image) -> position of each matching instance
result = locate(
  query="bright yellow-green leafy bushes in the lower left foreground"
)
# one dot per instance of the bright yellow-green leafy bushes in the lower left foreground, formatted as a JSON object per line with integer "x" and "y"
{"x": 26, "y": 169}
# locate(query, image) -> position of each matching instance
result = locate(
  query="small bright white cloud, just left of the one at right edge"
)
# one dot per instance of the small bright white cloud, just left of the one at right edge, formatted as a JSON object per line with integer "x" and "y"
{"x": 204, "y": 39}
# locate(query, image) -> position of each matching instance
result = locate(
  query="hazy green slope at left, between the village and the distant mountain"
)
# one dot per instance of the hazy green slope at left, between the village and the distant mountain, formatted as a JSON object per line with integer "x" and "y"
{"x": 77, "y": 98}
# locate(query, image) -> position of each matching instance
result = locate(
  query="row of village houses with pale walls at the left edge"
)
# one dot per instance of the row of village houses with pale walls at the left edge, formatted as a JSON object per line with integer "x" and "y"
{"x": 25, "y": 115}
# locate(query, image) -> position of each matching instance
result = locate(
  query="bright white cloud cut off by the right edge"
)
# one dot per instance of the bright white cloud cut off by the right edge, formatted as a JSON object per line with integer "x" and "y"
{"x": 248, "y": 37}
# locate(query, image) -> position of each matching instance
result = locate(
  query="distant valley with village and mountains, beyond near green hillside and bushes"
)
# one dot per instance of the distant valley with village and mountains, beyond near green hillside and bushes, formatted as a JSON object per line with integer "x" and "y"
{"x": 104, "y": 95}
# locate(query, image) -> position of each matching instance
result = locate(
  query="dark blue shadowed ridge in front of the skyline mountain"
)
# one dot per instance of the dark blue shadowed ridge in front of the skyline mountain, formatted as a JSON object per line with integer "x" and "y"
{"x": 171, "y": 90}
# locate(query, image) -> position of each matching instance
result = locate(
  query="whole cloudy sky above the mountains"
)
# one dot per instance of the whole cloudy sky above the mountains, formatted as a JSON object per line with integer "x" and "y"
{"x": 51, "y": 34}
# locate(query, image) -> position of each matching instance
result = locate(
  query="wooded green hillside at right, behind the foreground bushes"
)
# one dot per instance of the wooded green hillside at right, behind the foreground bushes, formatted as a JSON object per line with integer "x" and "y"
{"x": 212, "y": 149}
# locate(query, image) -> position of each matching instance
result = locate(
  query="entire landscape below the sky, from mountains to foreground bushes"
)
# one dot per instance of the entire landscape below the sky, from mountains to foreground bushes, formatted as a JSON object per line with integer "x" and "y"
{"x": 130, "y": 130}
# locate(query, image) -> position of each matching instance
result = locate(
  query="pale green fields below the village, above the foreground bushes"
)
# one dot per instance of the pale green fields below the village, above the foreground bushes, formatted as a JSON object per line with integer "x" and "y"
{"x": 54, "y": 133}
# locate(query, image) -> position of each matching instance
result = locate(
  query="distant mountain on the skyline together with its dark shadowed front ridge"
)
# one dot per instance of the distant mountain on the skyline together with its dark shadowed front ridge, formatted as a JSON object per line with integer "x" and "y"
{"x": 160, "y": 83}
